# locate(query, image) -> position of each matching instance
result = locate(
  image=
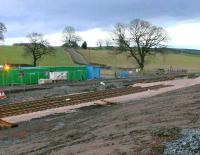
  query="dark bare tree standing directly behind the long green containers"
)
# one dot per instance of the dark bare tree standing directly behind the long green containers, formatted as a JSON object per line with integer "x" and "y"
{"x": 38, "y": 47}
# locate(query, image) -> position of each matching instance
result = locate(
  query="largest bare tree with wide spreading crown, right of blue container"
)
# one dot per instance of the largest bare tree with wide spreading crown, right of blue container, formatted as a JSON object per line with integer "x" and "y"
{"x": 139, "y": 38}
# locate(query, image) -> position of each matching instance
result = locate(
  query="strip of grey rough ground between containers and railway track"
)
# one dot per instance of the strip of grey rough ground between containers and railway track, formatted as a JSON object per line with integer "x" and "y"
{"x": 31, "y": 92}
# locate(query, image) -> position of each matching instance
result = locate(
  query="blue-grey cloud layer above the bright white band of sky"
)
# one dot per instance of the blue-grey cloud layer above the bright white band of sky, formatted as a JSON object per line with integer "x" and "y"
{"x": 52, "y": 15}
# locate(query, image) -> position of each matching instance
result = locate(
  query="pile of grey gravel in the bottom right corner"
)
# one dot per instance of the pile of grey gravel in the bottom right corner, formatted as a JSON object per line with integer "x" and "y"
{"x": 188, "y": 144}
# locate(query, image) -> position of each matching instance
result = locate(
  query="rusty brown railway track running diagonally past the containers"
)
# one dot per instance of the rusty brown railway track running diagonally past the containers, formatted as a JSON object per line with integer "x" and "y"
{"x": 66, "y": 100}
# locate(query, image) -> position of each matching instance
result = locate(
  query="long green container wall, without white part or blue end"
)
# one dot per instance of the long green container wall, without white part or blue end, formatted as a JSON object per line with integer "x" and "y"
{"x": 32, "y": 75}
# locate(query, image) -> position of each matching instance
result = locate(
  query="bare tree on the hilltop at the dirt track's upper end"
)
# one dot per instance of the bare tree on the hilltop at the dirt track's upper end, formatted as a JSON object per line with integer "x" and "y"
{"x": 71, "y": 39}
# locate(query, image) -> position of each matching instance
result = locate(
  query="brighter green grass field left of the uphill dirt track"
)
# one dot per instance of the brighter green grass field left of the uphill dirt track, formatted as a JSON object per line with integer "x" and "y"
{"x": 14, "y": 55}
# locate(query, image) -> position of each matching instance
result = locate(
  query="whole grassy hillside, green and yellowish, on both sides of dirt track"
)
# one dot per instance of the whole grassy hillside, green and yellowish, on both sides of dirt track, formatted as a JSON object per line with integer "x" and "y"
{"x": 14, "y": 55}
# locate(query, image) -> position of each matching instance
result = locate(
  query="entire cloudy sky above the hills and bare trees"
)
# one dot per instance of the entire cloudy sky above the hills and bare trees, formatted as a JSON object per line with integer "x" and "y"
{"x": 93, "y": 19}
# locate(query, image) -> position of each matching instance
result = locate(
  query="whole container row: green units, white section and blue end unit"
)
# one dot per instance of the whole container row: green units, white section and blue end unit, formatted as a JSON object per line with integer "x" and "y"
{"x": 35, "y": 75}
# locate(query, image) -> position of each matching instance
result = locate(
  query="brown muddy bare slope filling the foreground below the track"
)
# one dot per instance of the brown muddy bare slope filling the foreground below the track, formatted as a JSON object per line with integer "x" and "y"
{"x": 136, "y": 127}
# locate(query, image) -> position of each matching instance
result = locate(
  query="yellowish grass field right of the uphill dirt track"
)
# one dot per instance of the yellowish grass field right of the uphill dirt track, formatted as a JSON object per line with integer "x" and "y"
{"x": 176, "y": 60}
